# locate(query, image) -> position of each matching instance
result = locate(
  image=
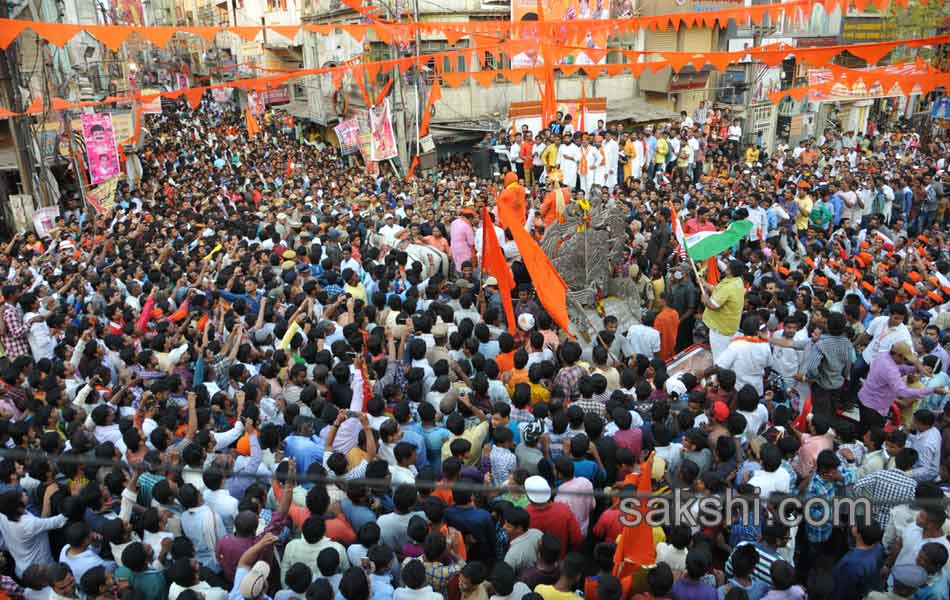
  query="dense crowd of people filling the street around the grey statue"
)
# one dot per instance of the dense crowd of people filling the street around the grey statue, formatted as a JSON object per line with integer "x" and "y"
{"x": 239, "y": 383}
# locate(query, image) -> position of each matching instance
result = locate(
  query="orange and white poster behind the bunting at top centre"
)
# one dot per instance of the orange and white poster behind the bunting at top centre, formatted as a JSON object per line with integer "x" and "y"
{"x": 566, "y": 11}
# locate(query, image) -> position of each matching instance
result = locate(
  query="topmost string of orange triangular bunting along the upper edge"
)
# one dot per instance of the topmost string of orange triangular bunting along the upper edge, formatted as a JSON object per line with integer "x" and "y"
{"x": 113, "y": 36}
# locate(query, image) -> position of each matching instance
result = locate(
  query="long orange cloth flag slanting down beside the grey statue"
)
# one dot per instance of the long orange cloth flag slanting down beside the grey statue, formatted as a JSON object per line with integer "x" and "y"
{"x": 548, "y": 283}
